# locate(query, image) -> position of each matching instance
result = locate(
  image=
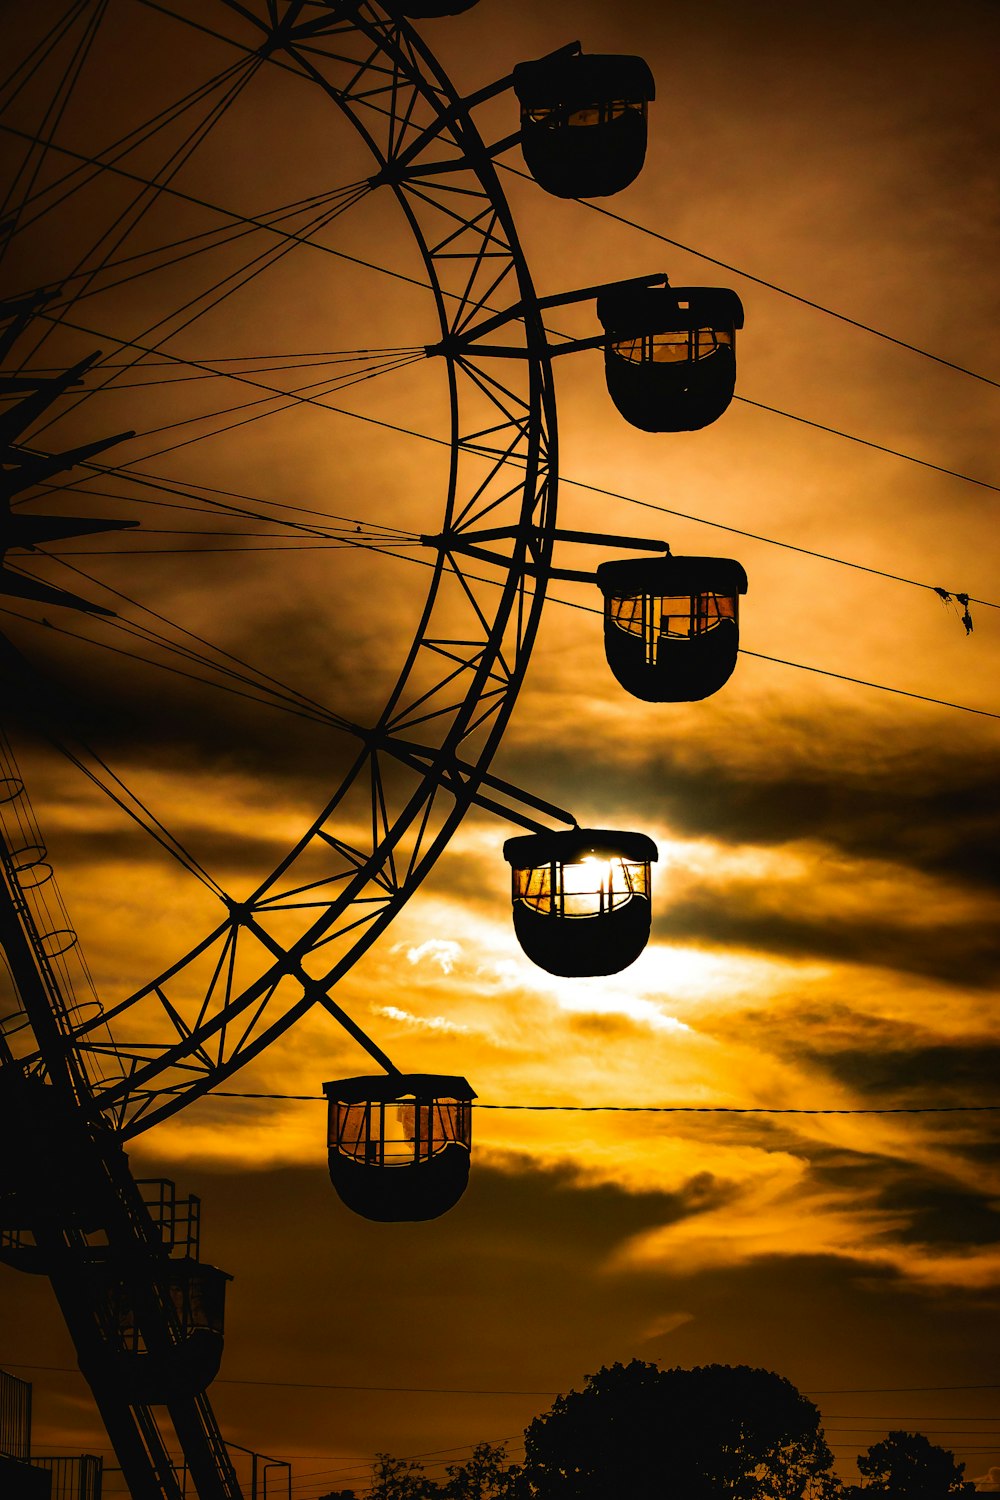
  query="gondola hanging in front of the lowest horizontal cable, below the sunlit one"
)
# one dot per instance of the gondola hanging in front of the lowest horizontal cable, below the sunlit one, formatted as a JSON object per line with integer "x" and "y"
{"x": 400, "y": 1145}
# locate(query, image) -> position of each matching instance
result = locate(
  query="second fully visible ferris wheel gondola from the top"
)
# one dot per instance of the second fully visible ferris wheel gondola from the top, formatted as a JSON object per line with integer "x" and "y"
{"x": 671, "y": 353}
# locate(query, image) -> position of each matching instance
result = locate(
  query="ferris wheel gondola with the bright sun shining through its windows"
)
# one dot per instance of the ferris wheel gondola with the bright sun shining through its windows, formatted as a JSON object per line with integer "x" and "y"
{"x": 581, "y": 899}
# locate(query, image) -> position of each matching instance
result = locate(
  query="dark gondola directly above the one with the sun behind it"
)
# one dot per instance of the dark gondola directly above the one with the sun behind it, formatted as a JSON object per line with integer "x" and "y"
{"x": 672, "y": 625}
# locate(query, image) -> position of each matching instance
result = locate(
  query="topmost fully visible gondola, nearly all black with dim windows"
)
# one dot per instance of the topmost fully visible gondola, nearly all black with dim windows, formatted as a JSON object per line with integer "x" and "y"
{"x": 584, "y": 122}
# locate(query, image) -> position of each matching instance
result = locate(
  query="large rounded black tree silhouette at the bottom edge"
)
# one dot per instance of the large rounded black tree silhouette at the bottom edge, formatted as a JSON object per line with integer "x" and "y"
{"x": 698, "y": 1435}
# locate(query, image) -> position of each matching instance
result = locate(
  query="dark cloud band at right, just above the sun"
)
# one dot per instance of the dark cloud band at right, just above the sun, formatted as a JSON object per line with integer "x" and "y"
{"x": 864, "y": 787}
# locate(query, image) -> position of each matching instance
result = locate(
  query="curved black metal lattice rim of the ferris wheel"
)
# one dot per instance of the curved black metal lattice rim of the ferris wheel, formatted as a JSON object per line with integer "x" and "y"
{"x": 283, "y": 950}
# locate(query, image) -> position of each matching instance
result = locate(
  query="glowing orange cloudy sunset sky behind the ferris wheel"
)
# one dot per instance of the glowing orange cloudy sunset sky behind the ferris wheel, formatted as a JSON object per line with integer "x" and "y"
{"x": 825, "y": 902}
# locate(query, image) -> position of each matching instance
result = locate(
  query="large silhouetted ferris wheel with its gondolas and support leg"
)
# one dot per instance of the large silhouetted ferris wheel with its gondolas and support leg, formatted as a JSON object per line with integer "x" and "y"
{"x": 133, "y": 227}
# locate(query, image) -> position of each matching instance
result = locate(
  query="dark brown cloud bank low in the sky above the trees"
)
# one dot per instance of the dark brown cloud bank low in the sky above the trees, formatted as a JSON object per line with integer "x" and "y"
{"x": 510, "y": 1292}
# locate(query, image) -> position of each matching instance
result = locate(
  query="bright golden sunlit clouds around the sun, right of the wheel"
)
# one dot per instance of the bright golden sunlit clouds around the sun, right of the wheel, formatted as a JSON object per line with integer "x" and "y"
{"x": 690, "y": 1025}
